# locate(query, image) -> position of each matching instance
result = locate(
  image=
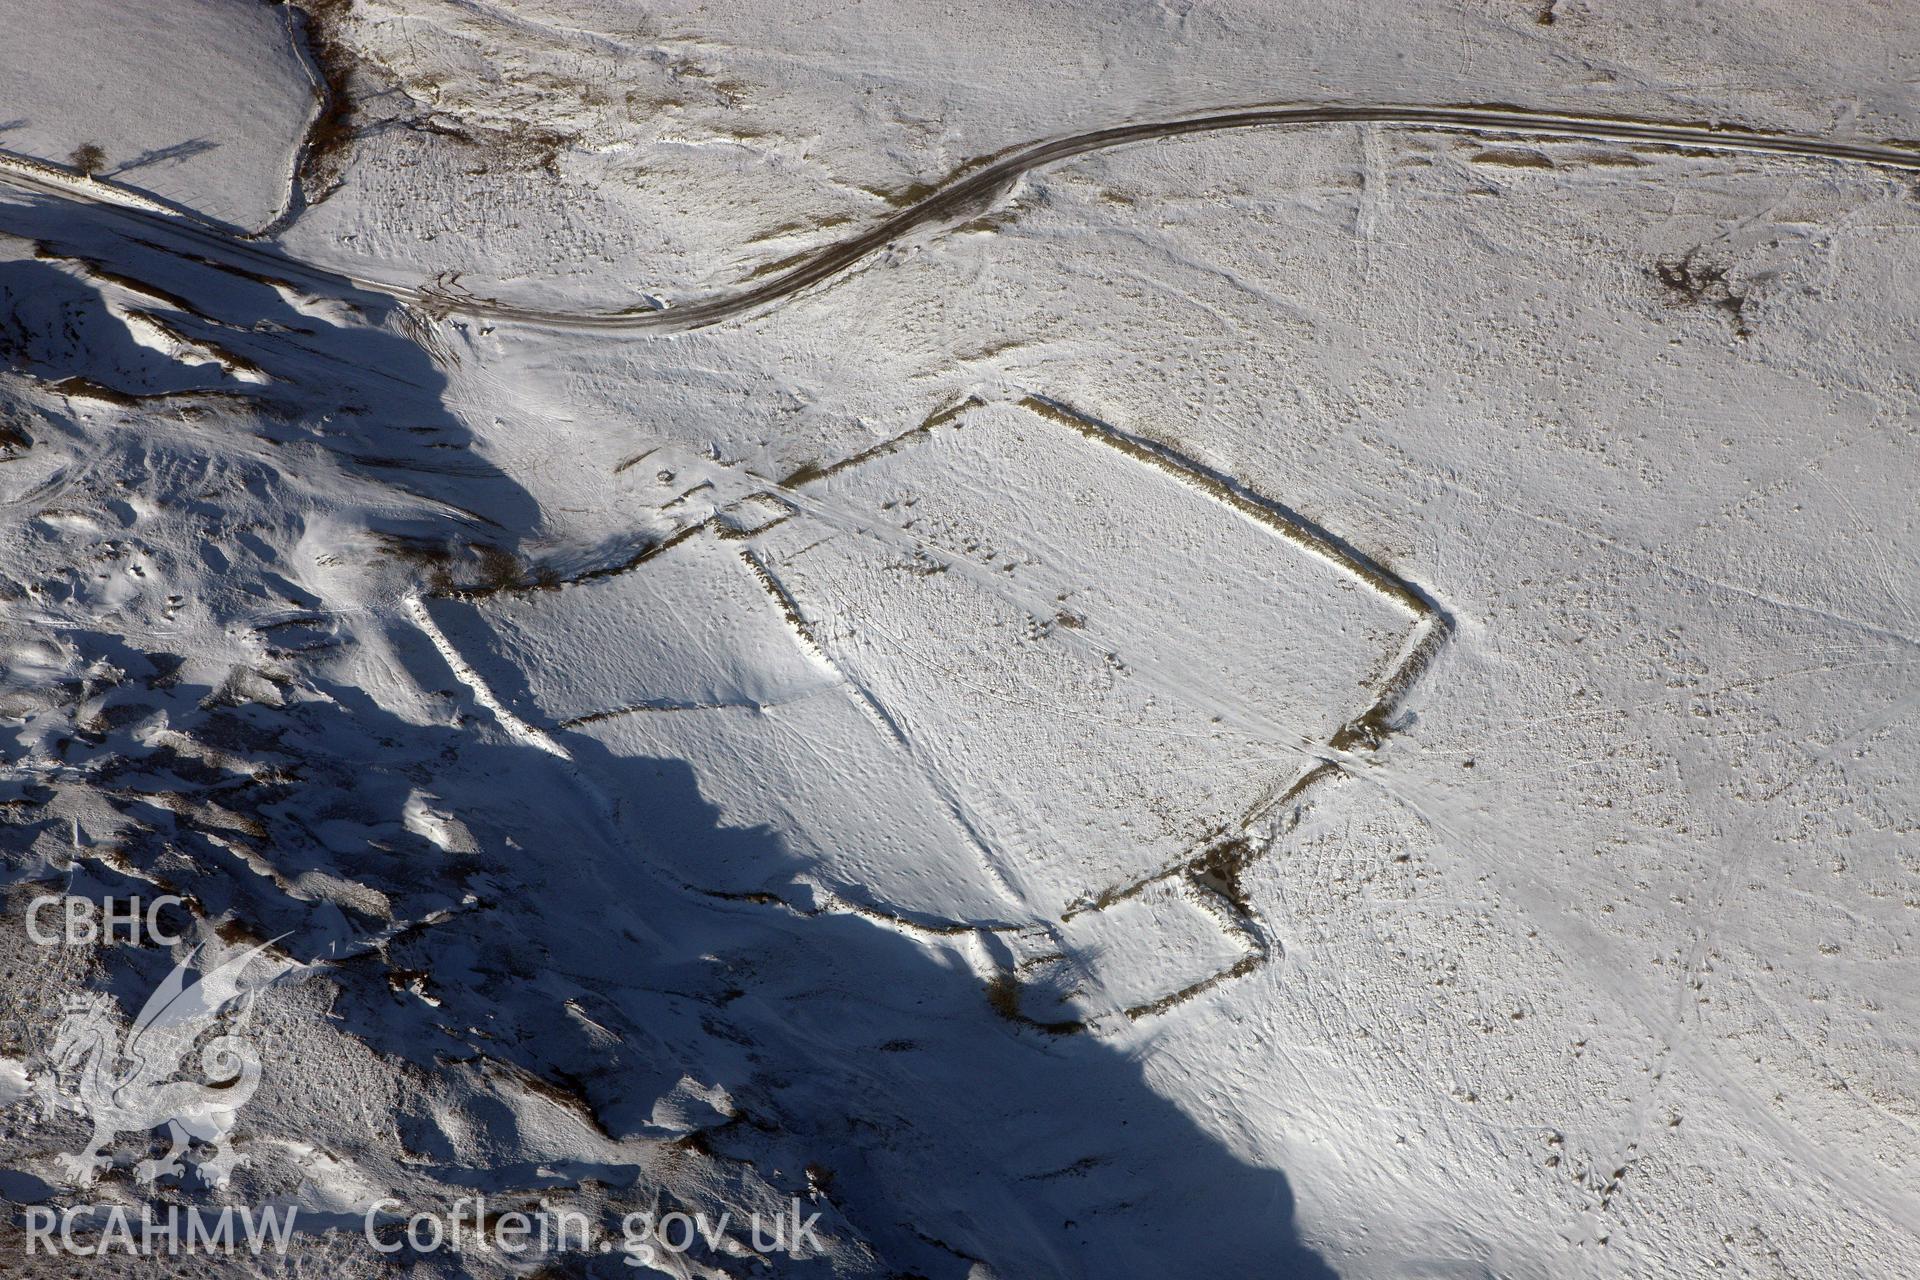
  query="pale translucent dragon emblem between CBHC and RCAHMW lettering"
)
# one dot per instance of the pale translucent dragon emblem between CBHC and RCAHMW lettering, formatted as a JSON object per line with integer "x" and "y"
{"x": 132, "y": 1087}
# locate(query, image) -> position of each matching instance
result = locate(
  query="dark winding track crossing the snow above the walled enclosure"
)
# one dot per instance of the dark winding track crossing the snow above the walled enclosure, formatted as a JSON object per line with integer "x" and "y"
{"x": 971, "y": 193}
